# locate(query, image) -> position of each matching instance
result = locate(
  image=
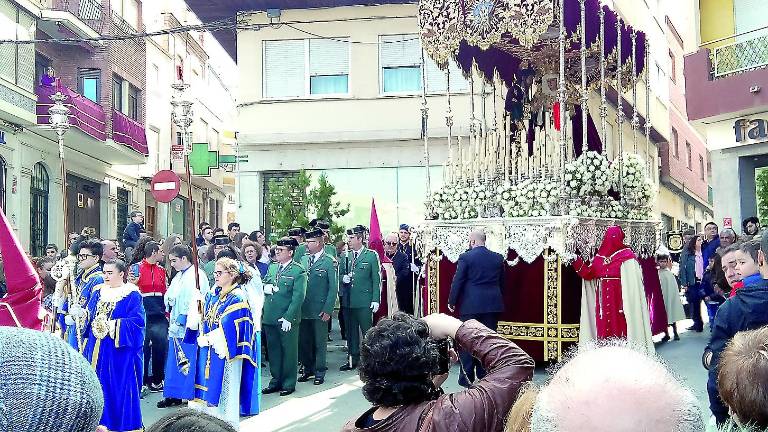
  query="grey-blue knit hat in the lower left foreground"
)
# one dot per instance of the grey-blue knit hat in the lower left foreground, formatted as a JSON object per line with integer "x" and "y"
{"x": 46, "y": 385}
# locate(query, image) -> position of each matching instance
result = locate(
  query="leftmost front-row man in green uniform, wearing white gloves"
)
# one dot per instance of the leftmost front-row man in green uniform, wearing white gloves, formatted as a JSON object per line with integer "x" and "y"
{"x": 284, "y": 287}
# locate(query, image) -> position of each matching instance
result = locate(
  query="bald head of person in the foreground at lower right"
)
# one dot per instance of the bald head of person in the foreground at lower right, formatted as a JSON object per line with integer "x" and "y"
{"x": 609, "y": 387}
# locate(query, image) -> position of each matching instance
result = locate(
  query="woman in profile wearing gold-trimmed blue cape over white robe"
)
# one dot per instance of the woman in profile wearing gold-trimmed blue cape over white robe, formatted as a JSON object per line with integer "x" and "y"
{"x": 227, "y": 380}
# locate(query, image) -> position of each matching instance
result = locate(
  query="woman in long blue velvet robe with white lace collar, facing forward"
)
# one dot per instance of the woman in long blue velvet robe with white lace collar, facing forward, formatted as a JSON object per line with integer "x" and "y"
{"x": 115, "y": 339}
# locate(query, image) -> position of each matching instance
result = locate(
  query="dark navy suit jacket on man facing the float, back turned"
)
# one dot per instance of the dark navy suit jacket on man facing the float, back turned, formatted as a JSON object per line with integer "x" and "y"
{"x": 478, "y": 282}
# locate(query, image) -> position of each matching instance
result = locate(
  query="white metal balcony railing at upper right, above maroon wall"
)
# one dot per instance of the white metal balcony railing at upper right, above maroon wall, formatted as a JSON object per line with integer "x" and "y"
{"x": 740, "y": 56}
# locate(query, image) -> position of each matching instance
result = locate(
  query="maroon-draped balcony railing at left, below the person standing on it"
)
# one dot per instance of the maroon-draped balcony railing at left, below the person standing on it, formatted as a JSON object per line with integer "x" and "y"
{"x": 86, "y": 115}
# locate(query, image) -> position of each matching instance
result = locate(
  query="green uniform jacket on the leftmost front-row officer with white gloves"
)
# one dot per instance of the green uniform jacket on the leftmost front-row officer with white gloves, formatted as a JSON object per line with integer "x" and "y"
{"x": 286, "y": 302}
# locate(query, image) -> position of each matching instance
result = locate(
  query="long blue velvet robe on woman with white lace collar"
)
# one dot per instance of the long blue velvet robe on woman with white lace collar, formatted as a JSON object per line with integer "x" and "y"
{"x": 118, "y": 361}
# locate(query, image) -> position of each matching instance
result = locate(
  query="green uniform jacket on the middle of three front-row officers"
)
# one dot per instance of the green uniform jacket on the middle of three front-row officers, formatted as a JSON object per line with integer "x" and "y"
{"x": 322, "y": 286}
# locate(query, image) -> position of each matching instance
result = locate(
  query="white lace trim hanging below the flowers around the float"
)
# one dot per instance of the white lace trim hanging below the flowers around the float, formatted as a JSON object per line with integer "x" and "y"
{"x": 529, "y": 237}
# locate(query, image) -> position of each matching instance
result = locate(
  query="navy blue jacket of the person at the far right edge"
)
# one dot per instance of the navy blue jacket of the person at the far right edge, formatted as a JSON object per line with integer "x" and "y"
{"x": 747, "y": 310}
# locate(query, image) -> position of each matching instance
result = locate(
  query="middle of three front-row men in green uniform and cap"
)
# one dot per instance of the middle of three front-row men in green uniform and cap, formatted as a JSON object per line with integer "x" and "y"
{"x": 322, "y": 285}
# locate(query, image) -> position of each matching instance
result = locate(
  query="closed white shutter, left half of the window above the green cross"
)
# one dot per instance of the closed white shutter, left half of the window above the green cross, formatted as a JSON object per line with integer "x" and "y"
{"x": 284, "y": 68}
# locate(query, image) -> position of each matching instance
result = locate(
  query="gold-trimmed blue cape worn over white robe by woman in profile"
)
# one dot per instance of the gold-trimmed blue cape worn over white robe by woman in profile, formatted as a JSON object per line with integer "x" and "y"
{"x": 231, "y": 313}
